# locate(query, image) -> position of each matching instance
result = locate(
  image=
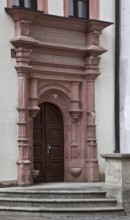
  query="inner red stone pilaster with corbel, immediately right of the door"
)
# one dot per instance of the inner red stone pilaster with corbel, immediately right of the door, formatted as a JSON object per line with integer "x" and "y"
{"x": 75, "y": 112}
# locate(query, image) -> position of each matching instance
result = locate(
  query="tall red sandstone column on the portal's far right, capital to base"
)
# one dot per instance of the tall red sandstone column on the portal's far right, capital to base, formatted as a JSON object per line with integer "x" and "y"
{"x": 92, "y": 71}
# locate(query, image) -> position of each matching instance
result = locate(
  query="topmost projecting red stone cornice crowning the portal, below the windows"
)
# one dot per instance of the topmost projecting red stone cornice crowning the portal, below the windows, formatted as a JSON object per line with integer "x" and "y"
{"x": 39, "y": 18}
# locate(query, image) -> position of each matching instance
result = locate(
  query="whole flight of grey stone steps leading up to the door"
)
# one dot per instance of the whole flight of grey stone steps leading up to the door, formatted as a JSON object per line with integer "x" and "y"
{"x": 67, "y": 200}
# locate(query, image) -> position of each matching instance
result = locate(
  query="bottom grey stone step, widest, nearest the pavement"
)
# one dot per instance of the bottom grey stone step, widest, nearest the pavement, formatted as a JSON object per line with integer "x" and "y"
{"x": 60, "y": 212}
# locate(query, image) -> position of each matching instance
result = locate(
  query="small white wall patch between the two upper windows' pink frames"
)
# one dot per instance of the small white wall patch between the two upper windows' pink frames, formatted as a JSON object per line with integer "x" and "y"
{"x": 56, "y": 7}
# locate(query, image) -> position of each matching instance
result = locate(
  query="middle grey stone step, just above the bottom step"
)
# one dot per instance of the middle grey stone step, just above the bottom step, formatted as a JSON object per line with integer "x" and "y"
{"x": 57, "y": 203}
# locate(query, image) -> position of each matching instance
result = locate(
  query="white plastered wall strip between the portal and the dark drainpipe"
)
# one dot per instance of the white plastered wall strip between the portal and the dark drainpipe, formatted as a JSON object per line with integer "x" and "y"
{"x": 104, "y": 91}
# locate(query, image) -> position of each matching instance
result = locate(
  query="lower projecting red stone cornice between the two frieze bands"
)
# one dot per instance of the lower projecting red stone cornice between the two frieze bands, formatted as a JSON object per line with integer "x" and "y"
{"x": 90, "y": 50}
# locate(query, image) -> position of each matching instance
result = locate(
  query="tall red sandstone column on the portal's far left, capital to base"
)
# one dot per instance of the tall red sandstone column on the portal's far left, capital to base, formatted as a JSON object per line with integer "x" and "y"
{"x": 24, "y": 163}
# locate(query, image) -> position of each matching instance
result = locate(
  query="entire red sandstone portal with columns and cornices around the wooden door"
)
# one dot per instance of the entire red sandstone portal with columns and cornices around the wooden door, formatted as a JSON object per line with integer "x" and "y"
{"x": 57, "y": 62}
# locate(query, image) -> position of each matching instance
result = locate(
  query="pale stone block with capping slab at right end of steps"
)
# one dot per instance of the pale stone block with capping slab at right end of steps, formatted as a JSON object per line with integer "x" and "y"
{"x": 117, "y": 178}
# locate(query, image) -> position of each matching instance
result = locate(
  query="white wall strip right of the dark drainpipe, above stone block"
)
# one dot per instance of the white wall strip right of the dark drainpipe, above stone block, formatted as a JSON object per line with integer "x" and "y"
{"x": 125, "y": 77}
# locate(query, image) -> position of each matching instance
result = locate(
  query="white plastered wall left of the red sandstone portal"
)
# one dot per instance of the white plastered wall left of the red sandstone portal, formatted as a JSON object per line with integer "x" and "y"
{"x": 8, "y": 100}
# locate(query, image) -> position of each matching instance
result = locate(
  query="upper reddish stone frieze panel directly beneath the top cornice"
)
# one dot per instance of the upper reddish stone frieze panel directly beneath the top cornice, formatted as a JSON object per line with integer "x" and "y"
{"x": 57, "y": 35}
